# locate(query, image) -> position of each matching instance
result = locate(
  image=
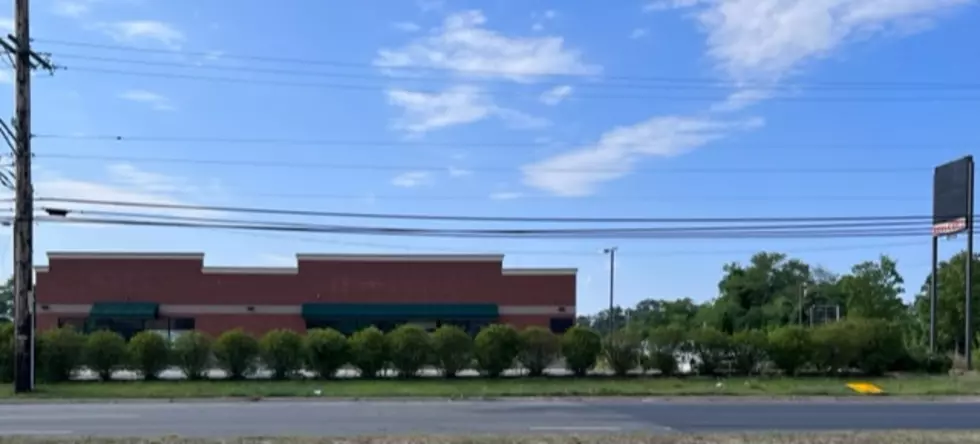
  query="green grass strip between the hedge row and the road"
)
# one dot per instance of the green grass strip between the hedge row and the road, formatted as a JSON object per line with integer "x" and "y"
{"x": 477, "y": 388}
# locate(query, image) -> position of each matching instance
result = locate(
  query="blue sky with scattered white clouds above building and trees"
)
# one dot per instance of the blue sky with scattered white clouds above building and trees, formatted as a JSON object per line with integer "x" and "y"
{"x": 445, "y": 99}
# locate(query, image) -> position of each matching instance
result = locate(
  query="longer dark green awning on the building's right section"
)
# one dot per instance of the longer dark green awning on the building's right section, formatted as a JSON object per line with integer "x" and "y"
{"x": 399, "y": 311}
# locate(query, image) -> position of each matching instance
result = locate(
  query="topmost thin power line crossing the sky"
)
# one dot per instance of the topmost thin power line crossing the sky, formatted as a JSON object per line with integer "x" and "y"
{"x": 345, "y": 64}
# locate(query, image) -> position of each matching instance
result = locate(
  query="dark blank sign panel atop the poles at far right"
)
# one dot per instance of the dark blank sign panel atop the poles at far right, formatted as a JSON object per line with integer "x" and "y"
{"x": 951, "y": 196}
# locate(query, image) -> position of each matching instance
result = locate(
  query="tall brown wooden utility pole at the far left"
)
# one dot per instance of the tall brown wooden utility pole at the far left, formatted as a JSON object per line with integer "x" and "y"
{"x": 24, "y": 208}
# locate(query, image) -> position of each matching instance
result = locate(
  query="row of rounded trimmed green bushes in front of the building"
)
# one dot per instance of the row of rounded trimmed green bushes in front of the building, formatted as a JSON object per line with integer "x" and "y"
{"x": 866, "y": 347}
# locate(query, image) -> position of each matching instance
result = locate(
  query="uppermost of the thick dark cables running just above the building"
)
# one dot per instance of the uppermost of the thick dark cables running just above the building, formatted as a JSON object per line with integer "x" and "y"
{"x": 925, "y": 220}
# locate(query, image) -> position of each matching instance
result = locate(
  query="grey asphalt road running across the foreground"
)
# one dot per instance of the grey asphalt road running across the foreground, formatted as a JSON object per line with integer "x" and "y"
{"x": 300, "y": 418}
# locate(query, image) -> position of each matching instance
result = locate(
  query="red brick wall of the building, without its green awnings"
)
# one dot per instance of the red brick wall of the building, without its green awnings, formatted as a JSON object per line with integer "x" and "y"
{"x": 181, "y": 281}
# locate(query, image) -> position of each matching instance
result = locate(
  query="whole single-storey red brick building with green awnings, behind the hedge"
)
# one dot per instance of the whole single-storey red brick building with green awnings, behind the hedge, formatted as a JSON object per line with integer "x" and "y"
{"x": 171, "y": 293}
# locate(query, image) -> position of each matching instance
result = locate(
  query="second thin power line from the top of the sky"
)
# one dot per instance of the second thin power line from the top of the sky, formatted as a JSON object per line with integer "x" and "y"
{"x": 377, "y": 88}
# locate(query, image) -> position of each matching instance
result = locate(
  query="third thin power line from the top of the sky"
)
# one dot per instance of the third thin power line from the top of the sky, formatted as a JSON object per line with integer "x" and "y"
{"x": 284, "y": 141}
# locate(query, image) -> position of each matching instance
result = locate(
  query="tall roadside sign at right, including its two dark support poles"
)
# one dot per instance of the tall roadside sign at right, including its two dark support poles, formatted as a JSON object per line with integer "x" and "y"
{"x": 952, "y": 213}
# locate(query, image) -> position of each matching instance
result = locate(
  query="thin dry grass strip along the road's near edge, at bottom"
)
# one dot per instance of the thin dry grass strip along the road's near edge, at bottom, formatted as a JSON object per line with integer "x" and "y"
{"x": 893, "y": 437}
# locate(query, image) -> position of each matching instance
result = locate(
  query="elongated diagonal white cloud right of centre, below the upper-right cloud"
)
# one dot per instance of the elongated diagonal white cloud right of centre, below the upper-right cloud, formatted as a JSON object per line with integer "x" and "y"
{"x": 579, "y": 172}
